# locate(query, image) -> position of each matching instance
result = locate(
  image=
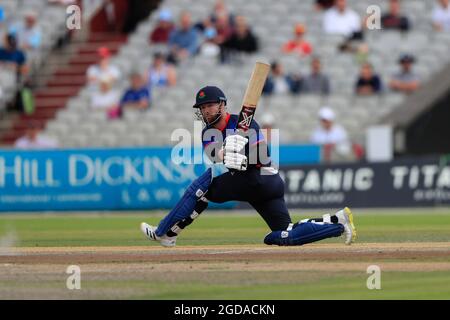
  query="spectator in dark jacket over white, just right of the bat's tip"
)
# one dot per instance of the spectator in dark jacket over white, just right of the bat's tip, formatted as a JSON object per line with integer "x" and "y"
{"x": 279, "y": 83}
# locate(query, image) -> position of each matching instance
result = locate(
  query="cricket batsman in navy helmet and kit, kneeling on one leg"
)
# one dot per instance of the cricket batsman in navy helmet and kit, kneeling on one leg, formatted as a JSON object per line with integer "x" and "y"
{"x": 255, "y": 182}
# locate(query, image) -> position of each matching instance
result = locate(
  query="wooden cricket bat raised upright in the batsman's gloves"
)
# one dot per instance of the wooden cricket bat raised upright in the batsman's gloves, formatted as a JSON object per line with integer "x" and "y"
{"x": 252, "y": 94}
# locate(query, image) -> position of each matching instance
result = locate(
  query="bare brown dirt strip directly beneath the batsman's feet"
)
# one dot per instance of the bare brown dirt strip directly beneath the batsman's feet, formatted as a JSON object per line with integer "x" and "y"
{"x": 251, "y": 253}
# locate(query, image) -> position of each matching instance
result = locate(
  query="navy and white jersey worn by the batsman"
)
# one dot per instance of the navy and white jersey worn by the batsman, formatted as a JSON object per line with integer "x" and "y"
{"x": 256, "y": 141}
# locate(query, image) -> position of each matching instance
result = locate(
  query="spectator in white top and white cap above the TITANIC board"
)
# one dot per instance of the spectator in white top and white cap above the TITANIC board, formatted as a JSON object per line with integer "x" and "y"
{"x": 331, "y": 136}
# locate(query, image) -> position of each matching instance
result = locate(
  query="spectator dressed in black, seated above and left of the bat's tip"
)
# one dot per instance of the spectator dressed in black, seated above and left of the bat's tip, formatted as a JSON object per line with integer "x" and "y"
{"x": 242, "y": 40}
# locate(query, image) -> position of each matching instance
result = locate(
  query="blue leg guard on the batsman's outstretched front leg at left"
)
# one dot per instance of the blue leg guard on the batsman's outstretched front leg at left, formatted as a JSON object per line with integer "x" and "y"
{"x": 186, "y": 204}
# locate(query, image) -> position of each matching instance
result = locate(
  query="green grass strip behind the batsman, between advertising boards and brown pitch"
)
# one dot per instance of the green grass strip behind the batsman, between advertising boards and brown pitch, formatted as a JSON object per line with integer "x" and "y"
{"x": 212, "y": 228}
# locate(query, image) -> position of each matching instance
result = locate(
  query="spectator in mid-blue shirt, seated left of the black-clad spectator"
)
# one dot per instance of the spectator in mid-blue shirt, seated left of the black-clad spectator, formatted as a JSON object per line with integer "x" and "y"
{"x": 184, "y": 41}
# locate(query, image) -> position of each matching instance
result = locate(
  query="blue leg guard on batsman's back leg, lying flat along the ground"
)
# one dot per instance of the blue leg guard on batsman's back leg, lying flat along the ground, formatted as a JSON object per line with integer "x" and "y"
{"x": 303, "y": 233}
